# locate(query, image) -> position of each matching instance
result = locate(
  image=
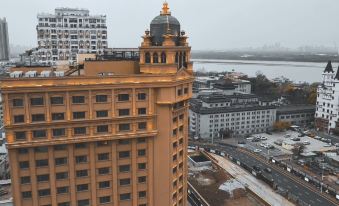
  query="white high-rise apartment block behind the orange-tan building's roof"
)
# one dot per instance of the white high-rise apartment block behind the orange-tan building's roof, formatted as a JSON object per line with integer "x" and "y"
{"x": 67, "y": 32}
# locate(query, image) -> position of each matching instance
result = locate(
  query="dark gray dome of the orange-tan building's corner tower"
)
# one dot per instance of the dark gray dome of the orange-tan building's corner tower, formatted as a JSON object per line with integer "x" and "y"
{"x": 164, "y": 24}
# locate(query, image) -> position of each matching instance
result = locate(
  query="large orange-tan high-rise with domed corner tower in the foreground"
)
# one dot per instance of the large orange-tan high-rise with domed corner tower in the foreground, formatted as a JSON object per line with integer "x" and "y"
{"x": 115, "y": 135}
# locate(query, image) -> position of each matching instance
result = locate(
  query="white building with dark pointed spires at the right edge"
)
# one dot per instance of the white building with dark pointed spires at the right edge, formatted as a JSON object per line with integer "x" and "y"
{"x": 327, "y": 108}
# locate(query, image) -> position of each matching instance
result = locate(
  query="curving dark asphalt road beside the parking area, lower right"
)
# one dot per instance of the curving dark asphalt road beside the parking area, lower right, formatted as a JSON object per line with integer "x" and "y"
{"x": 296, "y": 186}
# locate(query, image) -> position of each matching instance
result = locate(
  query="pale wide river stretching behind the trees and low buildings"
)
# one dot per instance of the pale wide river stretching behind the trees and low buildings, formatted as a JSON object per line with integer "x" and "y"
{"x": 295, "y": 71}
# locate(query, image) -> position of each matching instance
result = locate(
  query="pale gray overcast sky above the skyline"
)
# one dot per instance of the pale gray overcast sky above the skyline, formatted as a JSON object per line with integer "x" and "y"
{"x": 210, "y": 24}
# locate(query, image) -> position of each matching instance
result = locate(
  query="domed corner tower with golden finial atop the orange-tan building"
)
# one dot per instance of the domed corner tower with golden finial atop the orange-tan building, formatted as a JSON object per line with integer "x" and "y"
{"x": 164, "y": 48}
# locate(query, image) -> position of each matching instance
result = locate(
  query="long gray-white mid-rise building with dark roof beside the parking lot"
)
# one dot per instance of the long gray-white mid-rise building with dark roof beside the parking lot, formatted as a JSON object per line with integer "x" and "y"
{"x": 238, "y": 115}
